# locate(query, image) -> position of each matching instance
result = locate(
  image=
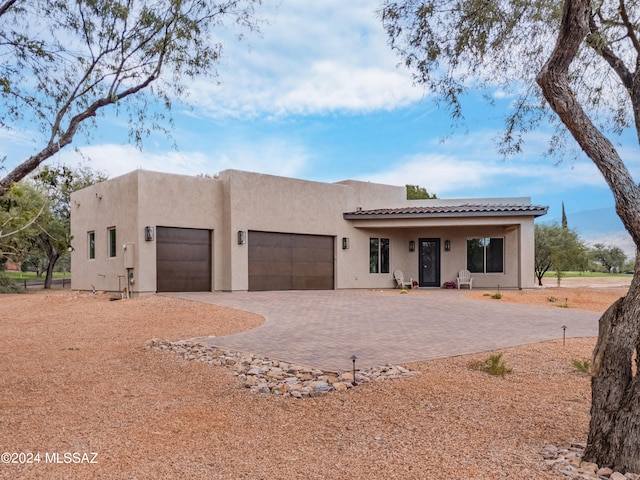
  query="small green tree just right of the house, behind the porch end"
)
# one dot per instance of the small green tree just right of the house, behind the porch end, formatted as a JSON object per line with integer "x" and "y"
{"x": 558, "y": 249}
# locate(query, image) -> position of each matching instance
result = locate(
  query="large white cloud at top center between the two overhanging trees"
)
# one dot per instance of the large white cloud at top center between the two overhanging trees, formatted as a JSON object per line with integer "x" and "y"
{"x": 312, "y": 57}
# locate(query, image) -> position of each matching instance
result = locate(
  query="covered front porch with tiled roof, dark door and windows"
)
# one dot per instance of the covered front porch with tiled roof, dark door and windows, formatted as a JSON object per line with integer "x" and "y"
{"x": 430, "y": 245}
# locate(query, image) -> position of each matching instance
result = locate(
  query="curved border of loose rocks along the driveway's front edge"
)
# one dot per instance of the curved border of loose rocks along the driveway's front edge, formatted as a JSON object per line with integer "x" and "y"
{"x": 262, "y": 375}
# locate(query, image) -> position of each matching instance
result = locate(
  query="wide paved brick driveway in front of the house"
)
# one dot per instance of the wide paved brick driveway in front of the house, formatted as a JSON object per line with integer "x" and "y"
{"x": 324, "y": 329}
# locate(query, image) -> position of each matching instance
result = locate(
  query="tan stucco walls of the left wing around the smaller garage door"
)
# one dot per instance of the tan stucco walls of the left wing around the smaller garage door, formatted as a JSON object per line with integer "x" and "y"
{"x": 130, "y": 203}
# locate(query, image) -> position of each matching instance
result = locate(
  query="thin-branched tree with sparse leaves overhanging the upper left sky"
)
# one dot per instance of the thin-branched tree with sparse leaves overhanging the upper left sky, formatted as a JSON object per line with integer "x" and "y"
{"x": 63, "y": 63}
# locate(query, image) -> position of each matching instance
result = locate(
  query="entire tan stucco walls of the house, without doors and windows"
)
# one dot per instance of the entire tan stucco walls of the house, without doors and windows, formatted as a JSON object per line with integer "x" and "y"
{"x": 237, "y": 200}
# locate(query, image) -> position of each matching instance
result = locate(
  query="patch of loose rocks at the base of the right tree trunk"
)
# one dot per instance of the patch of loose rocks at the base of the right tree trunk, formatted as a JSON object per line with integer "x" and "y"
{"x": 568, "y": 462}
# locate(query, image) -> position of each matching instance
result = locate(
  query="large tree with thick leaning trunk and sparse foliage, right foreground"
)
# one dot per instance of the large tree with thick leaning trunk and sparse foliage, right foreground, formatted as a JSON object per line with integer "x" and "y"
{"x": 587, "y": 84}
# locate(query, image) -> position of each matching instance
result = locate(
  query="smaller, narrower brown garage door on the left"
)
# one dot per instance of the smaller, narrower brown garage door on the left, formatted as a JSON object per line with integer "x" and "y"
{"x": 183, "y": 259}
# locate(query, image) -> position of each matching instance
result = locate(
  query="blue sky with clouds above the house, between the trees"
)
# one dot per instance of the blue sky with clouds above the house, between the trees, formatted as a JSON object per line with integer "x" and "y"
{"x": 318, "y": 95}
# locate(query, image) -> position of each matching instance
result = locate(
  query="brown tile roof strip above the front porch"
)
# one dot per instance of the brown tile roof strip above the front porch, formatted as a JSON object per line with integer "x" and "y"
{"x": 471, "y": 210}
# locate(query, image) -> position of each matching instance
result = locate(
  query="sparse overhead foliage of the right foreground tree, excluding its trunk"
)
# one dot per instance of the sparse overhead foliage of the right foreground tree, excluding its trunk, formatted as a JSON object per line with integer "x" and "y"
{"x": 453, "y": 47}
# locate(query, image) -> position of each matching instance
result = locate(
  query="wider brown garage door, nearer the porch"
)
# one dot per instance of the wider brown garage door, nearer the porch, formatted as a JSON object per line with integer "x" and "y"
{"x": 286, "y": 261}
